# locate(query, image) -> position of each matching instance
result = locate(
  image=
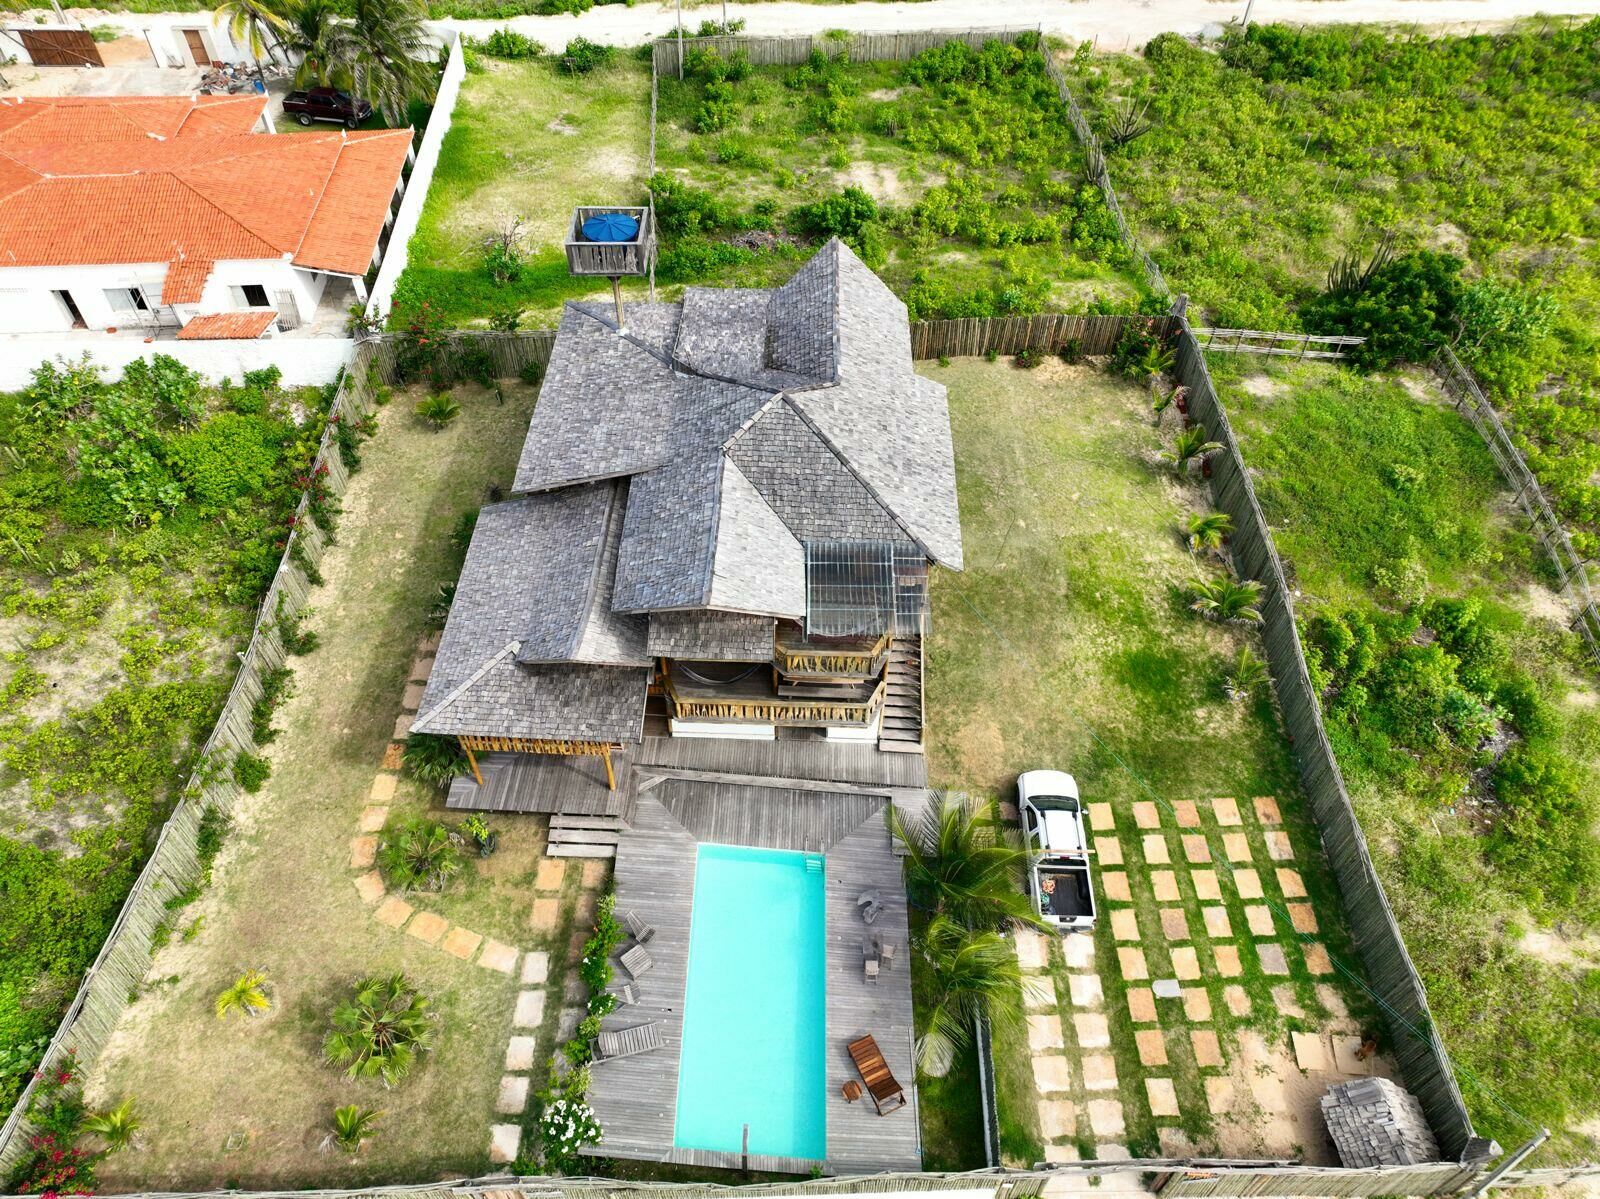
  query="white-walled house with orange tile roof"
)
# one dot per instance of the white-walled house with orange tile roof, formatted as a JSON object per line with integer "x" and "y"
{"x": 145, "y": 214}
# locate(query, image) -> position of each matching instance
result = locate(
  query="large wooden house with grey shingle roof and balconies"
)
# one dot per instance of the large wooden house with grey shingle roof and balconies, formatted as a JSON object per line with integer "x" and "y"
{"x": 722, "y": 526}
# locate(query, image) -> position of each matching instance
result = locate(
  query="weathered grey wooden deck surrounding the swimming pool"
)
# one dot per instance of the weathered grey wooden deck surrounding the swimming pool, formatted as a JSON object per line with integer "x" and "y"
{"x": 636, "y": 1099}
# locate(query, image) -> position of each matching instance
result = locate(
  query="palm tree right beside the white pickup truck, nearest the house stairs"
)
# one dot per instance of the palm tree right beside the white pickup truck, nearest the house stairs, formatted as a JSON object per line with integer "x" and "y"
{"x": 961, "y": 867}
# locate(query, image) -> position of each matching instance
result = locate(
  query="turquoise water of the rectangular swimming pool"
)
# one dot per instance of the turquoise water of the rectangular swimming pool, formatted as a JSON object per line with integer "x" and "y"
{"x": 753, "y": 1011}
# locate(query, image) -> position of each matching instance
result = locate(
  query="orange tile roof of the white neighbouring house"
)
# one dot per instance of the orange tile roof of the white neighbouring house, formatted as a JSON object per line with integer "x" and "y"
{"x": 191, "y": 196}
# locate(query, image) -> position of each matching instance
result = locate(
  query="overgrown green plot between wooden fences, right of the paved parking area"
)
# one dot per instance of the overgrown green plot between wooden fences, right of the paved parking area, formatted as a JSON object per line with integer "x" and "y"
{"x": 1462, "y": 712}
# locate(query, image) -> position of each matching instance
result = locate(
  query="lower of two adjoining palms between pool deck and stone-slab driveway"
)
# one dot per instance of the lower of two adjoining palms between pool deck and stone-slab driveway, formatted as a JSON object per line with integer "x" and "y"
{"x": 970, "y": 974}
